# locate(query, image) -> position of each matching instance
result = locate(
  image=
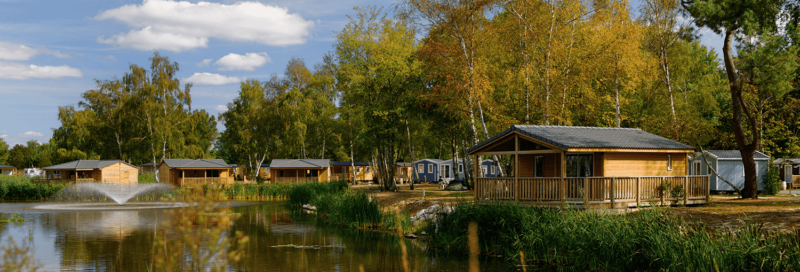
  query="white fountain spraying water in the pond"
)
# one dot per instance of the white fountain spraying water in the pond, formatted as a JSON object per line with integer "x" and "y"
{"x": 119, "y": 193}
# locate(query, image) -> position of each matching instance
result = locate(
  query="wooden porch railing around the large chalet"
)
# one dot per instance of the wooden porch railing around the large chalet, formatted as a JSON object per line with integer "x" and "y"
{"x": 631, "y": 191}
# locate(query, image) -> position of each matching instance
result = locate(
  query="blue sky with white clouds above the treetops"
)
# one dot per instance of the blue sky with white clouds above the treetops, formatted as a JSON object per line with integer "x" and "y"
{"x": 51, "y": 51}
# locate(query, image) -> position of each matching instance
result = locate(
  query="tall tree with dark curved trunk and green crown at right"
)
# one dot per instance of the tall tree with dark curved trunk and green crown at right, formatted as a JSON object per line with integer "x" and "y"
{"x": 729, "y": 18}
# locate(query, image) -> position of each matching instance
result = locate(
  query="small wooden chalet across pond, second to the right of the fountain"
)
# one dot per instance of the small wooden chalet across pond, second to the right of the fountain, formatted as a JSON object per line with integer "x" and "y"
{"x": 301, "y": 170}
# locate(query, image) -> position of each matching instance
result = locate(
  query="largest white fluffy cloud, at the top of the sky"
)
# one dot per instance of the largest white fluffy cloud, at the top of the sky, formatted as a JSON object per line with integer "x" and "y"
{"x": 179, "y": 26}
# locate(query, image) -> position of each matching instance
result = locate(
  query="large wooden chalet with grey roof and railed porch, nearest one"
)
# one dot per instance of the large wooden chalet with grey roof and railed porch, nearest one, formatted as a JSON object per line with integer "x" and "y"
{"x": 615, "y": 167}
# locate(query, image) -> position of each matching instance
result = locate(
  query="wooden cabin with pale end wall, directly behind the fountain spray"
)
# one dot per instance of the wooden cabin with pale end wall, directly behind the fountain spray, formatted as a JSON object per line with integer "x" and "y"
{"x": 104, "y": 171}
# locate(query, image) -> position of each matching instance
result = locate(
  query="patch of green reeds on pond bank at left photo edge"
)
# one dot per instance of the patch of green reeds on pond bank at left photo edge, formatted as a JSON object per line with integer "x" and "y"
{"x": 23, "y": 188}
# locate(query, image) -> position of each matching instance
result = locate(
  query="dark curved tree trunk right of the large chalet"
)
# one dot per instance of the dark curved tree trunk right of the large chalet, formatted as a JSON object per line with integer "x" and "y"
{"x": 746, "y": 147}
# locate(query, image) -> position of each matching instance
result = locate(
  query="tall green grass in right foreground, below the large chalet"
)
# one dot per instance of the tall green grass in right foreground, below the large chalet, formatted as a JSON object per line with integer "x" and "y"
{"x": 654, "y": 239}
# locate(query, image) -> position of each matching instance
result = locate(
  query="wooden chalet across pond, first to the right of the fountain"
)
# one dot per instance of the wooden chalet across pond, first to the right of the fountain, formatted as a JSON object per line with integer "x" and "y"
{"x": 182, "y": 172}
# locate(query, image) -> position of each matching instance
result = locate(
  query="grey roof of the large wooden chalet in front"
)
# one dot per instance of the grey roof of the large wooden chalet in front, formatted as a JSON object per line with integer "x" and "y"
{"x": 566, "y": 137}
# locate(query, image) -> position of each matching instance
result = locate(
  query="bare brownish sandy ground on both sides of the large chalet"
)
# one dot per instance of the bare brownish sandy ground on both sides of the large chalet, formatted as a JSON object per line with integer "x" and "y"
{"x": 780, "y": 212}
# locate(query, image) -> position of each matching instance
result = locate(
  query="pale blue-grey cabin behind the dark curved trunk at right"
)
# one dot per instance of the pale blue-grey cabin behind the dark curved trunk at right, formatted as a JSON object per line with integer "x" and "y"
{"x": 729, "y": 165}
